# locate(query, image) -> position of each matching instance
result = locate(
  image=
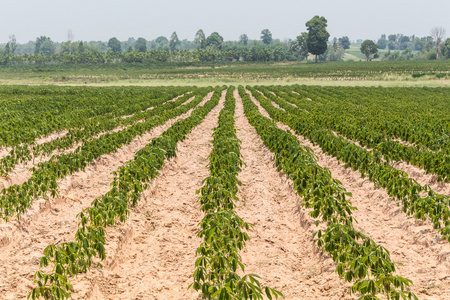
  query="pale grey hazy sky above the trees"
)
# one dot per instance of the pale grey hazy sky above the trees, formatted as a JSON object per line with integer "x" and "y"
{"x": 103, "y": 19}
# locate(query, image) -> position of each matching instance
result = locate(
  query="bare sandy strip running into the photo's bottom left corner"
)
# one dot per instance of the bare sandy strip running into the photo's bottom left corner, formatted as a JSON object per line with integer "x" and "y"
{"x": 51, "y": 222}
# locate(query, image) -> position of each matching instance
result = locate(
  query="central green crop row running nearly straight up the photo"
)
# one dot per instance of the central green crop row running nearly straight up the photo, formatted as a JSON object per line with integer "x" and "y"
{"x": 222, "y": 230}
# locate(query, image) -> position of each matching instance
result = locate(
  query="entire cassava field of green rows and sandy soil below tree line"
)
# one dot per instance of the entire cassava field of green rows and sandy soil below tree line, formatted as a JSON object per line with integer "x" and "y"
{"x": 260, "y": 190}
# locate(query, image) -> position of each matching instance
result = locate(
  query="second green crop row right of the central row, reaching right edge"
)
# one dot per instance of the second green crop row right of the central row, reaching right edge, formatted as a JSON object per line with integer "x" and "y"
{"x": 432, "y": 206}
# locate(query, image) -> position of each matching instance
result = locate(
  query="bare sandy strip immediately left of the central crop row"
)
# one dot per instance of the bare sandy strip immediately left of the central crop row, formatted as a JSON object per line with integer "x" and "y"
{"x": 154, "y": 253}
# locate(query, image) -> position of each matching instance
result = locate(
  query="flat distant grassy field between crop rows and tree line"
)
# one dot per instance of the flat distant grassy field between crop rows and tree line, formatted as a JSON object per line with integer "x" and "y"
{"x": 384, "y": 73}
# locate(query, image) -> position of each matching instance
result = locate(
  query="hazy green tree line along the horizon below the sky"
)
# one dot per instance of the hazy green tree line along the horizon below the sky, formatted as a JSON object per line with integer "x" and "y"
{"x": 314, "y": 41}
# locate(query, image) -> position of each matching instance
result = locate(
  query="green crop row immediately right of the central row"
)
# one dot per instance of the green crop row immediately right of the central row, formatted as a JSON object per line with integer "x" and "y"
{"x": 359, "y": 259}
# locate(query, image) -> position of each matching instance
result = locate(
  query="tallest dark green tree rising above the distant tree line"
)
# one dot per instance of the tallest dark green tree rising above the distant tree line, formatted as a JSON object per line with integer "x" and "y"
{"x": 317, "y": 35}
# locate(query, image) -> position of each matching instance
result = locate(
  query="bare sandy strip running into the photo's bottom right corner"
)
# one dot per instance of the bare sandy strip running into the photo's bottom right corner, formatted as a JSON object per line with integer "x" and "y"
{"x": 413, "y": 243}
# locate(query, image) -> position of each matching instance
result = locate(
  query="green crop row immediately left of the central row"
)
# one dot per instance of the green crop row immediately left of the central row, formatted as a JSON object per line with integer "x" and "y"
{"x": 130, "y": 180}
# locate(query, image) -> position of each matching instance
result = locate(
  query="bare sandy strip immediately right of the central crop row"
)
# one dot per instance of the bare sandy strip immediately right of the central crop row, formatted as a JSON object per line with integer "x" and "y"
{"x": 281, "y": 249}
